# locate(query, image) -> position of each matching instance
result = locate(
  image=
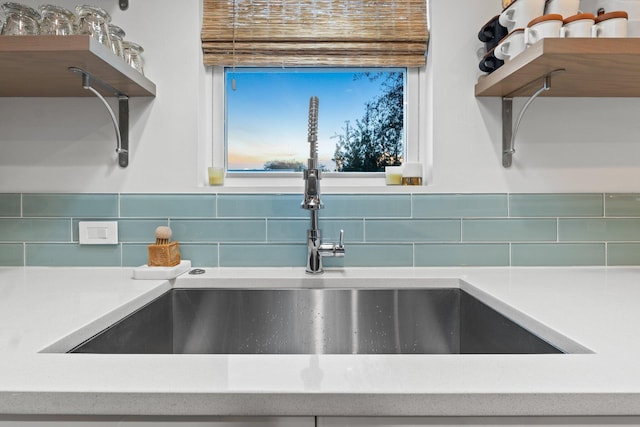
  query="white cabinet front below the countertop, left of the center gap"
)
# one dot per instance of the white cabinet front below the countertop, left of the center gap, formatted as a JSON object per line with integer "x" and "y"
{"x": 61, "y": 421}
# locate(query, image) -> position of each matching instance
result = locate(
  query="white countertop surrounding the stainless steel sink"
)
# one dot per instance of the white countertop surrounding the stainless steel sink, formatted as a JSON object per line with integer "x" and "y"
{"x": 49, "y": 308}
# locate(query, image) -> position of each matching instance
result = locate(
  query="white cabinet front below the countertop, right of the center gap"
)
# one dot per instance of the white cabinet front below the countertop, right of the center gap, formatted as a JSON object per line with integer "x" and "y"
{"x": 477, "y": 421}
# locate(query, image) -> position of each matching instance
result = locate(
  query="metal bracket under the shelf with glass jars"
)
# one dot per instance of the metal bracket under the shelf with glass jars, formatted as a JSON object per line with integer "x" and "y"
{"x": 120, "y": 124}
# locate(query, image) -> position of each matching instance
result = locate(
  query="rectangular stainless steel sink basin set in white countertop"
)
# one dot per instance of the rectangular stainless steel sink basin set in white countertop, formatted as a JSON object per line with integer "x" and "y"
{"x": 316, "y": 321}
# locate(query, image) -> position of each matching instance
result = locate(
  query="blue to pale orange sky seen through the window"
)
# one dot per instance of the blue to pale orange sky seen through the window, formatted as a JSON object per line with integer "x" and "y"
{"x": 266, "y": 114}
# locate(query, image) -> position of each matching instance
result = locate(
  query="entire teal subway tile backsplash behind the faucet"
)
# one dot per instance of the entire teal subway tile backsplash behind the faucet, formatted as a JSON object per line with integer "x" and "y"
{"x": 393, "y": 230}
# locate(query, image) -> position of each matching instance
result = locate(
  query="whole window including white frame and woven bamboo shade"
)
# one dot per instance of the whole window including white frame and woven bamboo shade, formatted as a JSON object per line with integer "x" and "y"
{"x": 286, "y": 37}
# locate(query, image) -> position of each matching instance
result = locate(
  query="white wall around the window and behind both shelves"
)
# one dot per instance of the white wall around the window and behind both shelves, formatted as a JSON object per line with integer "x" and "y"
{"x": 67, "y": 145}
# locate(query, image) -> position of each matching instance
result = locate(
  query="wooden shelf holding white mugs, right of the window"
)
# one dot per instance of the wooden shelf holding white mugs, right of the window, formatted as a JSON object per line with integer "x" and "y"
{"x": 607, "y": 67}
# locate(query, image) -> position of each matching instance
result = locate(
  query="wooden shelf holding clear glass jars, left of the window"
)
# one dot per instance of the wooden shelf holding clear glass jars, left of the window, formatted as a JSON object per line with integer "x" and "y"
{"x": 38, "y": 66}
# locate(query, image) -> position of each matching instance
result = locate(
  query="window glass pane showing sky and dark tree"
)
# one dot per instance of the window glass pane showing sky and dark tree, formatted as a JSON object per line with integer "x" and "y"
{"x": 360, "y": 121}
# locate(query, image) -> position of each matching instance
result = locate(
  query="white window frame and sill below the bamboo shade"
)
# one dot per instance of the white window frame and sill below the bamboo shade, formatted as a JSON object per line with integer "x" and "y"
{"x": 415, "y": 117}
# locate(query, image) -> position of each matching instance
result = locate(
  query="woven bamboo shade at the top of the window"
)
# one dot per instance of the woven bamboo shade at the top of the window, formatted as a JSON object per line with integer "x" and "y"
{"x": 315, "y": 33}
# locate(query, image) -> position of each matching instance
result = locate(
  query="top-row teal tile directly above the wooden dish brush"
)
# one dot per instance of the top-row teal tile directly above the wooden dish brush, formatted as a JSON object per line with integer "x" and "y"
{"x": 168, "y": 205}
